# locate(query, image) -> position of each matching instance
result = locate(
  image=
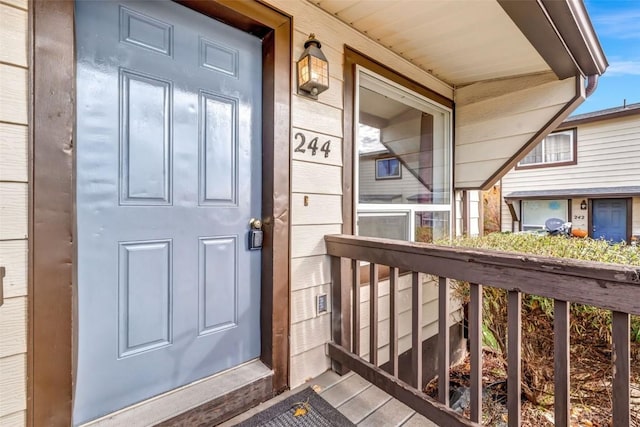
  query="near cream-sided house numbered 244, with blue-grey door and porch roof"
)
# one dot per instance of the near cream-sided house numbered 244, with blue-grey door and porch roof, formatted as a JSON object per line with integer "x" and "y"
{"x": 138, "y": 140}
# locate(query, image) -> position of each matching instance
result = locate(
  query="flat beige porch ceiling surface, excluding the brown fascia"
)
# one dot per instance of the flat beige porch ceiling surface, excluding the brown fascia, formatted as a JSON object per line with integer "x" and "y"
{"x": 460, "y": 42}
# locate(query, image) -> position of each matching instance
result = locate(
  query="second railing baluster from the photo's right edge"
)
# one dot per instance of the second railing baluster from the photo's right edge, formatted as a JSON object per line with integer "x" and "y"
{"x": 561, "y": 362}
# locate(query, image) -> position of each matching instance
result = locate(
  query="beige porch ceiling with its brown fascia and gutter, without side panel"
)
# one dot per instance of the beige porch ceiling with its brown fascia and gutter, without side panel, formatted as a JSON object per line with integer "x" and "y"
{"x": 464, "y": 42}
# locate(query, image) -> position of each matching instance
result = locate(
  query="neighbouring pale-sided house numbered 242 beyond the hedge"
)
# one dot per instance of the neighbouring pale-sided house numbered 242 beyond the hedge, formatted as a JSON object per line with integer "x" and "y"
{"x": 586, "y": 172}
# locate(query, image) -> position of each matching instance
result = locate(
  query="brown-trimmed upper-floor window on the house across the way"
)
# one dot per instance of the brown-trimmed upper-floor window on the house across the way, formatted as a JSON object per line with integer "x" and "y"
{"x": 557, "y": 149}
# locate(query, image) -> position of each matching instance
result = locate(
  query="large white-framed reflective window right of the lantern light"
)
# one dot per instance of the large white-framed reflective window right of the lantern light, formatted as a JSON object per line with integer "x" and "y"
{"x": 403, "y": 152}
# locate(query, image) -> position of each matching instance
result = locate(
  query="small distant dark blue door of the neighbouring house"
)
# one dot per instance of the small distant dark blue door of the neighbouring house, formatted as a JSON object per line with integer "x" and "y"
{"x": 610, "y": 219}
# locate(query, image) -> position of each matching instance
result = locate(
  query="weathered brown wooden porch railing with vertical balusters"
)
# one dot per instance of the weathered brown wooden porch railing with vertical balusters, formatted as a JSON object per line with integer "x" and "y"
{"x": 607, "y": 286}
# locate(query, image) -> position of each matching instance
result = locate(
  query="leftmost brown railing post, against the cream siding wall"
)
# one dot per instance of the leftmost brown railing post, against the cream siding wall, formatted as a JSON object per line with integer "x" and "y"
{"x": 340, "y": 307}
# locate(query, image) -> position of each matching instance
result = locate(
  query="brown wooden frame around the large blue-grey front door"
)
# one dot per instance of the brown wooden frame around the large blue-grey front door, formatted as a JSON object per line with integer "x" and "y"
{"x": 51, "y": 313}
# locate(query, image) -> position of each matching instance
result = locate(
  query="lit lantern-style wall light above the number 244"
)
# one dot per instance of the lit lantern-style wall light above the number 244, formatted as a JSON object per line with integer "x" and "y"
{"x": 313, "y": 69}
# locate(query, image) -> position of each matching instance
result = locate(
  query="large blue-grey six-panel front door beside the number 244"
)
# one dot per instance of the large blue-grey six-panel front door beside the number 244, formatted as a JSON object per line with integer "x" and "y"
{"x": 168, "y": 176}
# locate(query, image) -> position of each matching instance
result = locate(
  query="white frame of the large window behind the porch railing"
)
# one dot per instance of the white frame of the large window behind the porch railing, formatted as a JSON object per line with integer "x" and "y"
{"x": 372, "y": 209}
